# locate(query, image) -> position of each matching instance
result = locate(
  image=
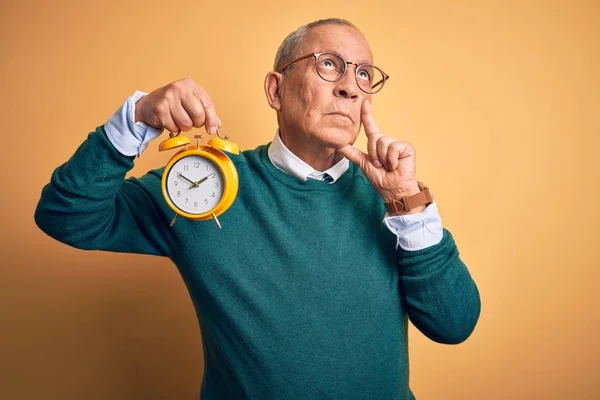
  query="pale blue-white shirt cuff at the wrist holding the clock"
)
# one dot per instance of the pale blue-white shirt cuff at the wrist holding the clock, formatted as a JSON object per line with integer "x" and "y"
{"x": 130, "y": 138}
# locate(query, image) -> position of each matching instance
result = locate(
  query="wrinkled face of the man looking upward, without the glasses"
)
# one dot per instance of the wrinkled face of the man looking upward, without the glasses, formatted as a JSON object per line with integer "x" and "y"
{"x": 325, "y": 113}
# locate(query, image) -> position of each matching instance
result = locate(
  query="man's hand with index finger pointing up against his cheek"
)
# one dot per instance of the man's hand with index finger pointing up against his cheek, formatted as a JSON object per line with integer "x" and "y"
{"x": 390, "y": 164}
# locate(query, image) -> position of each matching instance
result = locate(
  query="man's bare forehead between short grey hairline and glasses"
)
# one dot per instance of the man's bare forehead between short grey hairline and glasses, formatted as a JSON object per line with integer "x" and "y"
{"x": 342, "y": 39}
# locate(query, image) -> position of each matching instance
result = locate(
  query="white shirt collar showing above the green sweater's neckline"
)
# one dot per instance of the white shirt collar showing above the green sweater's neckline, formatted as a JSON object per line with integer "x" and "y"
{"x": 291, "y": 164}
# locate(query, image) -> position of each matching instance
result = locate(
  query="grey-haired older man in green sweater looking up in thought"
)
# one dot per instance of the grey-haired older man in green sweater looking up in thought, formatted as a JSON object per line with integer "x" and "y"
{"x": 319, "y": 263}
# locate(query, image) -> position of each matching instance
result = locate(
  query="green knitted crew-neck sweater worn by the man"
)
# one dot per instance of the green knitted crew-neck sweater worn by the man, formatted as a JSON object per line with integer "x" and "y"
{"x": 302, "y": 294}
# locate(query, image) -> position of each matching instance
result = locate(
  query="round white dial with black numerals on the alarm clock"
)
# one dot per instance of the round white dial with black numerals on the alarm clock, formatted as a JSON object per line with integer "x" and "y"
{"x": 195, "y": 184}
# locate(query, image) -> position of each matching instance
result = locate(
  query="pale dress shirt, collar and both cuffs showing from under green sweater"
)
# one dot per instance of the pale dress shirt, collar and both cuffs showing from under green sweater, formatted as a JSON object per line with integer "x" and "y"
{"x": 414, "y": 231}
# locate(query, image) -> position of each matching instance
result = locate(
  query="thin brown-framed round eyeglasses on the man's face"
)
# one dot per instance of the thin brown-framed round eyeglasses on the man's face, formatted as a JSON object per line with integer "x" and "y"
{"x": 331, "y": 67}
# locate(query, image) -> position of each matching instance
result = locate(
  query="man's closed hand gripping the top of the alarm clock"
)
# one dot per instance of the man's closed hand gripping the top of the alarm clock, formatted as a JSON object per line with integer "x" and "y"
{"x": 179, "y": 106}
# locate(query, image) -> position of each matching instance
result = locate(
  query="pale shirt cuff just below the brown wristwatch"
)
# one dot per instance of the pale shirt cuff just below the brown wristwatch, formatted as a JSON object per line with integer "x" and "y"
{"x": 416, "y": 231}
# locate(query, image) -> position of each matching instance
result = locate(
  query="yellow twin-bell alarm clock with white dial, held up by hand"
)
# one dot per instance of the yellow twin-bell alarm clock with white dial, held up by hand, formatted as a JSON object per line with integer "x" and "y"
{"x": 200, "y": 182}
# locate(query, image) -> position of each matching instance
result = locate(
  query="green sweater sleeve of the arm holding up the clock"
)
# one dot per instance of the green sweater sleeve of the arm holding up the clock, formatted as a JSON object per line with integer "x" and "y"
{"x": 88, "y": 203}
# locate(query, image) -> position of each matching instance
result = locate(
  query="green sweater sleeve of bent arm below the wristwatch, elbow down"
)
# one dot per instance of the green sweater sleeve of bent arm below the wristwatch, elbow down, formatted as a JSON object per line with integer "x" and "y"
{"x": 441, "y": 298}
